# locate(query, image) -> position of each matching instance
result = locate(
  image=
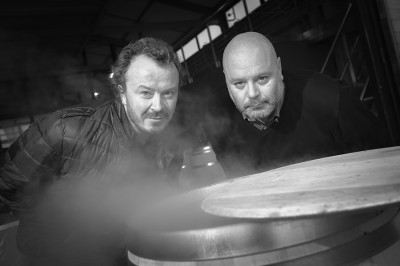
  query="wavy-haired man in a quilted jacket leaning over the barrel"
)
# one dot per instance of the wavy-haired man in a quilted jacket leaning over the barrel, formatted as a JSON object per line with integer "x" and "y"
{"x": 73, "y": 176}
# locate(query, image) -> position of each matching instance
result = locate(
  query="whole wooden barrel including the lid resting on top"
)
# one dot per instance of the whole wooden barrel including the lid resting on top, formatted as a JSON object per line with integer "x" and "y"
{"x": 308, "y": 221}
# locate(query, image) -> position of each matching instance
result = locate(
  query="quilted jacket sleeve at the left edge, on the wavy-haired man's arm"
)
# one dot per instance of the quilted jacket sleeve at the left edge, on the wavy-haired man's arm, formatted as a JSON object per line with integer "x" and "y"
{"x": 31, "y": 163}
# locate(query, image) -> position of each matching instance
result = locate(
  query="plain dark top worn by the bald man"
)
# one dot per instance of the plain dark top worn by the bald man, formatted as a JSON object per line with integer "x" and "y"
{"x": 319, "y": 117}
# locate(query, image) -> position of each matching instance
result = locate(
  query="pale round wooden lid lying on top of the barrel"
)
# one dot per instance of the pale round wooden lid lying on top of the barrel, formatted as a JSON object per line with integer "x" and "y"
{"x": 348, "y": 182}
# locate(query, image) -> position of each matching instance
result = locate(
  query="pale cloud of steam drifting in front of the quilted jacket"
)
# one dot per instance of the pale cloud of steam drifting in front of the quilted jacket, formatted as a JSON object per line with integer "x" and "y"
{"x": 90, "y": 211}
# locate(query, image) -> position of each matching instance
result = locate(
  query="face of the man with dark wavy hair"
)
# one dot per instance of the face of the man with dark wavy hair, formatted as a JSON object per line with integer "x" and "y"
{"x": 151, "y": 94}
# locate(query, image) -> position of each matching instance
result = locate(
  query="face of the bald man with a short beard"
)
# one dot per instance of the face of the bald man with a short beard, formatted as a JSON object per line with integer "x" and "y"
{"x": 254, "y": 81}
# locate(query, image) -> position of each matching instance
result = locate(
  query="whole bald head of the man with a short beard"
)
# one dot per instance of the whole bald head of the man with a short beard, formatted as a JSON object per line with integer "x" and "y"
{"x": 254, "y": 78}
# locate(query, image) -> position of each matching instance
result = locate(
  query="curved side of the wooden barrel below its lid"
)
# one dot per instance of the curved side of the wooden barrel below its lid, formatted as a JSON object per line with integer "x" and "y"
{"x": 337, "y": 240}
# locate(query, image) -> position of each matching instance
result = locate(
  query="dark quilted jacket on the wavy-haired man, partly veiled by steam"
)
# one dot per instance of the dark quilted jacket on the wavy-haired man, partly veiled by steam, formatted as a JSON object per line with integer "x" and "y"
{"x": 73, "y": 176}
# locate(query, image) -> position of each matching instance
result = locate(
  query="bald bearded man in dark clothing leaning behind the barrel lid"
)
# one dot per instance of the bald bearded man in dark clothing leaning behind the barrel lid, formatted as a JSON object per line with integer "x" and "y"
{"x": 294, "y": 116}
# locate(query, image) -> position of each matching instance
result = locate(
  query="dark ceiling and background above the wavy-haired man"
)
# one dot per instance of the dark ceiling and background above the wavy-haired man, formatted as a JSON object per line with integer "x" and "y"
{"x": 53, "y": 50}
